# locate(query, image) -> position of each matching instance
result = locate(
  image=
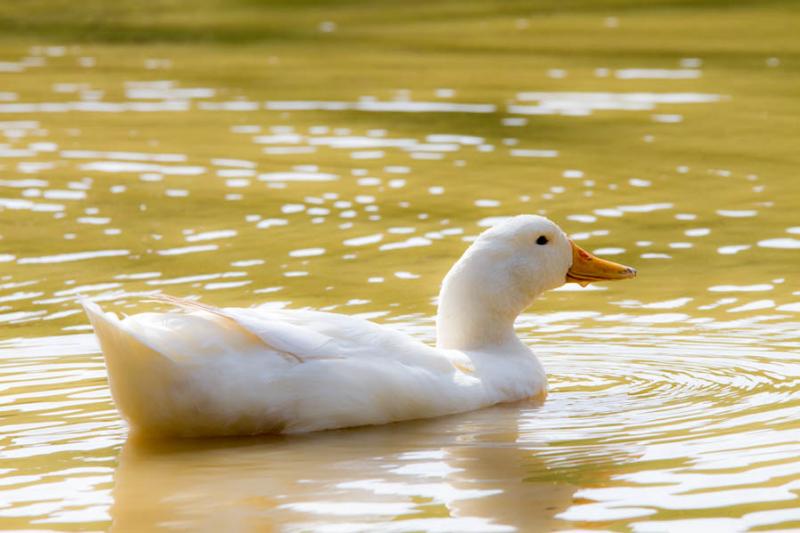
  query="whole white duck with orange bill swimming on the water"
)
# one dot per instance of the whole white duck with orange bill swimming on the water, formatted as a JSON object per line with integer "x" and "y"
{"x": 212, "y": 371}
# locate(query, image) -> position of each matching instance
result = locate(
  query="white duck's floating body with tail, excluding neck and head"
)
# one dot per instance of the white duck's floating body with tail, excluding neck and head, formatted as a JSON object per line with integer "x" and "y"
{"x": 251, "y": 371}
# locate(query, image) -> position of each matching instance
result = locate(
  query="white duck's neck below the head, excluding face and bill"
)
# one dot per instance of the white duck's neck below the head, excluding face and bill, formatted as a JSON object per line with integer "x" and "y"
{"x": 475, "y": 314}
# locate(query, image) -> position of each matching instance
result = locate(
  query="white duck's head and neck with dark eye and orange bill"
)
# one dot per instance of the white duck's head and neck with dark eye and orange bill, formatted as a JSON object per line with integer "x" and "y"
{"x": 503, "y": 271}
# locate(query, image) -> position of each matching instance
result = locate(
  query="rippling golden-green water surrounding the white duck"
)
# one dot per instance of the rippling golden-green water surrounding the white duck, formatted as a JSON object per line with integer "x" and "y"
{"x": 341, "y": 156}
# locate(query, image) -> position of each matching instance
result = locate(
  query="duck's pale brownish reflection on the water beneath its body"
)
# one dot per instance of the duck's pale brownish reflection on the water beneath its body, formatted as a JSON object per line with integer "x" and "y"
{"x": 471, "y": 472}
